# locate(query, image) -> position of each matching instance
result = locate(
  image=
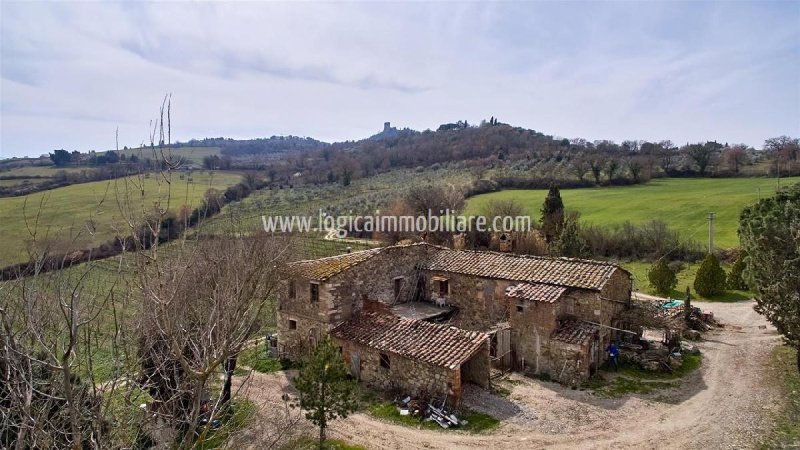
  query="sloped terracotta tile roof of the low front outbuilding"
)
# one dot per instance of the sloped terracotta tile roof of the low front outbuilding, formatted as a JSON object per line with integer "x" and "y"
{"x": 432, "y": 343}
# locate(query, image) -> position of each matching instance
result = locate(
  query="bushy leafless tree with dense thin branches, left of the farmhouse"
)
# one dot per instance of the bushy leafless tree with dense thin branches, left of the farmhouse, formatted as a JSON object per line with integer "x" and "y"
{"x": 200, "y": 306}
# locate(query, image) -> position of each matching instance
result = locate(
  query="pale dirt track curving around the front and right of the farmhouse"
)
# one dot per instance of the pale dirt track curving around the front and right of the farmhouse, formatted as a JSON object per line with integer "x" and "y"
{"x": 725, "y": 404}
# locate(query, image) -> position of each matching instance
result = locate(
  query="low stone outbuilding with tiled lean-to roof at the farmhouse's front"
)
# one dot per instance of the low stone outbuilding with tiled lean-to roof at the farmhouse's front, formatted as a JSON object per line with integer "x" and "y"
{"x": 413, "y": 356}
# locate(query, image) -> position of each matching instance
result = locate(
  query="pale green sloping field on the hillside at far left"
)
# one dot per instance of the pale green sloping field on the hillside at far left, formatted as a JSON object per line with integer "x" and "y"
{"x": 88, "y": 214}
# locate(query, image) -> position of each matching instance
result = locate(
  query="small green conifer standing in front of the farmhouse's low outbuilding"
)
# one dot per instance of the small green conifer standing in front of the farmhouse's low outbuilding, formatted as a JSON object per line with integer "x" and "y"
{"x": 325, "y": 392}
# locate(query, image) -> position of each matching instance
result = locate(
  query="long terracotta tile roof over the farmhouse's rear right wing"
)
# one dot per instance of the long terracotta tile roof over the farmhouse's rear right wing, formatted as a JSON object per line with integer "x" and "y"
{"x": 578, "y": 273}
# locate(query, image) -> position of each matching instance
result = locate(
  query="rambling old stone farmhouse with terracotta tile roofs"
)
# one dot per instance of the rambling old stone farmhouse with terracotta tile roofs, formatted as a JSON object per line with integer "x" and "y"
{"x": 425, "y": 318}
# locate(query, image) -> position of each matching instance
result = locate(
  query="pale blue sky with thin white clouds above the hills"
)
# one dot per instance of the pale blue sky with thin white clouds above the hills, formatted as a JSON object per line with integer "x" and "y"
{"x": 74, "y": 72}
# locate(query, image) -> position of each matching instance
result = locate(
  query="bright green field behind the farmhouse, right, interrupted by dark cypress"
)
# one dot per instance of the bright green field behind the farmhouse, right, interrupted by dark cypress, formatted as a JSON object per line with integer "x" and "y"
{"x": 682, "y": 203}
